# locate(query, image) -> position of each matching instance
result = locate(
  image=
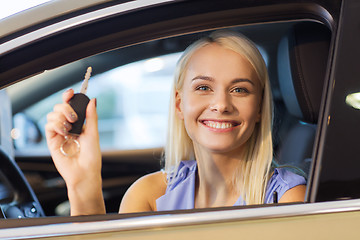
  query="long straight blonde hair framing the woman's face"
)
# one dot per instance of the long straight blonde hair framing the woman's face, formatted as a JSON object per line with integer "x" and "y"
{"x": 252, "y": 174}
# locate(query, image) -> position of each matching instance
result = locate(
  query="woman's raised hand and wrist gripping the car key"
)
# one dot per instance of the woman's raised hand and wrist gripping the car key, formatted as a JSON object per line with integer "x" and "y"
{"x": 82, "y": 171}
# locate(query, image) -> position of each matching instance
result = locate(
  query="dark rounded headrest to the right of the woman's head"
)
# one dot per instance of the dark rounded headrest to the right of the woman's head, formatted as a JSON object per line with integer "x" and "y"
{"x": 302, "y": 61}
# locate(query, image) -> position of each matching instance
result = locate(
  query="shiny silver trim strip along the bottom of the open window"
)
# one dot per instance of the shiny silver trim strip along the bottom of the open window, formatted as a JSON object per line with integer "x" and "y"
{"x": 80, "y": 225}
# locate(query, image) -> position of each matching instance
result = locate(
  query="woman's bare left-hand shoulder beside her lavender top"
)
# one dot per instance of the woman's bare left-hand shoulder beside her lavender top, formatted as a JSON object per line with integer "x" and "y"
{"x": 142, "y": 194}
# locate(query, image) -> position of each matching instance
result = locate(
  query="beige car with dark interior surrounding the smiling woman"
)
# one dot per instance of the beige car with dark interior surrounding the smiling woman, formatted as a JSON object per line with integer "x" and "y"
{"x": 310, "y": 48}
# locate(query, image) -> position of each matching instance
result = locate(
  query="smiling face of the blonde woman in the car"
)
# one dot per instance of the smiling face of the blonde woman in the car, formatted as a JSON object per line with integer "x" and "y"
{"x": 220, "y": 99}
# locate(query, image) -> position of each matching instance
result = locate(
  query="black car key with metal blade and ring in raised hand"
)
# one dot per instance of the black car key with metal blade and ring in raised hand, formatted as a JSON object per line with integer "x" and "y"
{"x": 79, "y": 103}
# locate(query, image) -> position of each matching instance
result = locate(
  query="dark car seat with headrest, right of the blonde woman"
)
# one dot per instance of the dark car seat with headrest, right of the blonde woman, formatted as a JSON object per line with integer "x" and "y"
{"x": 302, "y": 61}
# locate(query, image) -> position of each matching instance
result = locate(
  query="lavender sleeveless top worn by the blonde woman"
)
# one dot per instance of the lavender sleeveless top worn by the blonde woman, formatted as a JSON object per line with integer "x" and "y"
{"x": 180, "y": 194}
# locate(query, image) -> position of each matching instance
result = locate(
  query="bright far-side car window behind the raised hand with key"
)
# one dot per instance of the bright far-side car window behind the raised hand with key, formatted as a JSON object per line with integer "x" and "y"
{"x": 132, "y": 104}
